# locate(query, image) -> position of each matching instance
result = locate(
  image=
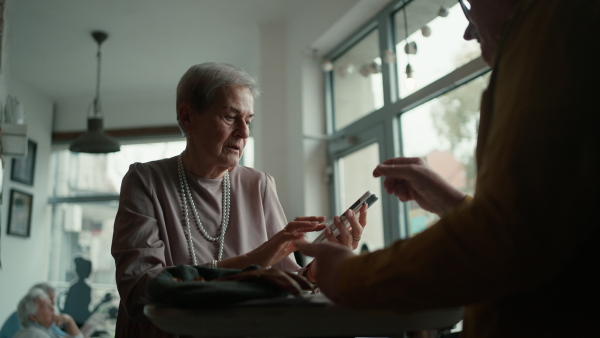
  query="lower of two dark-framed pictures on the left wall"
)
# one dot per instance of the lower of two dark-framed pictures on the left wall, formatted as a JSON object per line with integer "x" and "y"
{"x": 19, "y": 213}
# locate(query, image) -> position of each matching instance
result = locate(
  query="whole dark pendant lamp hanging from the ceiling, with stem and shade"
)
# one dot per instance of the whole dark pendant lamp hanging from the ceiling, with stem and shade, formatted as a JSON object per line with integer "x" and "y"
{"x": 95, "y": 140}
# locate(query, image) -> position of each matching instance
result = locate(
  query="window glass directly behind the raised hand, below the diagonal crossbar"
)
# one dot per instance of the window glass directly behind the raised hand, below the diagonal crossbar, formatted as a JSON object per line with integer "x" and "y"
{"x": 444, "y": 132}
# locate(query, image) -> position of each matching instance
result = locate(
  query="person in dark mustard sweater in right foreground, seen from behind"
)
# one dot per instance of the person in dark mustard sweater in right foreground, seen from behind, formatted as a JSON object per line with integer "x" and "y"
{"x": 520, "y": 254}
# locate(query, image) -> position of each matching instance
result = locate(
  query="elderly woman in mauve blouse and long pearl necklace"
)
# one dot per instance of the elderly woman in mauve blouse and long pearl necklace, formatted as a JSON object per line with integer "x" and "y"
{"x": 201, "y": 207}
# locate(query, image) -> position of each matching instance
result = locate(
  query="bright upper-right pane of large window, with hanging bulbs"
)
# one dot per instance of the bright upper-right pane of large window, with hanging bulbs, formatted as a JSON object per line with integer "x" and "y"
{"x": 438, "y": 54}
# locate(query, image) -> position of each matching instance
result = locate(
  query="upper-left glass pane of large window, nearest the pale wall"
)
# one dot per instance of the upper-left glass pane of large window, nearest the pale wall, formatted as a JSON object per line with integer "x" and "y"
{"x": 357, "y": 82}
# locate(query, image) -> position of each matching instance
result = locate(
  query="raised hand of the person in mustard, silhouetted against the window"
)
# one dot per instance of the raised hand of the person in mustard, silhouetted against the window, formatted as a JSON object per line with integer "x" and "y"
{"x": 411, "y": 179}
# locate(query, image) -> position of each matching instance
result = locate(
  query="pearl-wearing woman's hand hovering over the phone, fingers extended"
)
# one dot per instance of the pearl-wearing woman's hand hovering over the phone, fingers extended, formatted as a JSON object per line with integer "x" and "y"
{"x": 283, "y": 243}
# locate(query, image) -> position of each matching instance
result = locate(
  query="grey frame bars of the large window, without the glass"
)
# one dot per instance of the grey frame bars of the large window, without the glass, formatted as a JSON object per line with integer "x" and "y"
{"x": 395, "y": 213}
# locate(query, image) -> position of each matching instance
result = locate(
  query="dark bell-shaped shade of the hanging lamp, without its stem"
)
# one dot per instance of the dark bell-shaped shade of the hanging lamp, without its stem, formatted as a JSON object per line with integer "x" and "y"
{"x": 95, "y": 140}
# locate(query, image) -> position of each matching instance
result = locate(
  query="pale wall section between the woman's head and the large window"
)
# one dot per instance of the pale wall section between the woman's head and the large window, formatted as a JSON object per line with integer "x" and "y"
{"x": 293, "y": 106}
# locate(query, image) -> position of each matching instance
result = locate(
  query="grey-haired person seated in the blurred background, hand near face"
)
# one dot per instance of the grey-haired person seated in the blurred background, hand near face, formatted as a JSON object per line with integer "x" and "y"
{"x": 36, "y": 315}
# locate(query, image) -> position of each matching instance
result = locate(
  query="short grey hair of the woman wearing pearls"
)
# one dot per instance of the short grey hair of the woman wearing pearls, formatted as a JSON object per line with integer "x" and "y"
{"x": 200, "y": 85}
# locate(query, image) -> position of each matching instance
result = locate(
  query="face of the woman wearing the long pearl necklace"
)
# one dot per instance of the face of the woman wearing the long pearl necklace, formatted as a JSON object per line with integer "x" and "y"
{"x": 217, "y": 136}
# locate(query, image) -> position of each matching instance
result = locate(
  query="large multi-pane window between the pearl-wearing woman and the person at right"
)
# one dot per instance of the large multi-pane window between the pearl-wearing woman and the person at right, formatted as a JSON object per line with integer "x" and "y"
{"x": 383, "y": 116}
